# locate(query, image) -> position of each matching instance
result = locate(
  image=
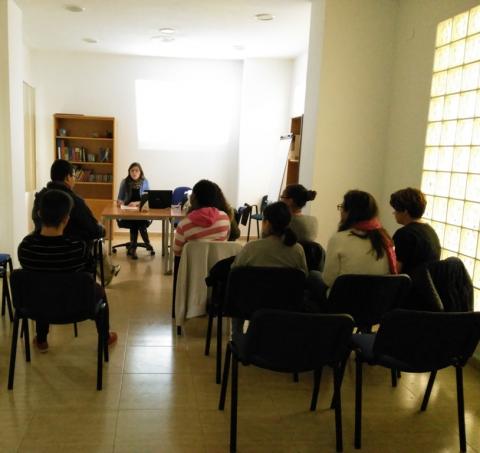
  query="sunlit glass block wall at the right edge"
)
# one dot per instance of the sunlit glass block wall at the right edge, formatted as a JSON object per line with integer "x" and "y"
{"x": 451, "y": 168}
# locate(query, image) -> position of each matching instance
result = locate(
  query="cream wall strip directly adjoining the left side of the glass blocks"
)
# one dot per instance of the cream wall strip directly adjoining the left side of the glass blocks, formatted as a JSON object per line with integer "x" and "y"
{"x": 412, "y": 74}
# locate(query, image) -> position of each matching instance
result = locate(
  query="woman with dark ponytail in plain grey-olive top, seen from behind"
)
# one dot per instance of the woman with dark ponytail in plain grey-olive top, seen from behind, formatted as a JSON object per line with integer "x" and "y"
{"x": 278, "y": 246}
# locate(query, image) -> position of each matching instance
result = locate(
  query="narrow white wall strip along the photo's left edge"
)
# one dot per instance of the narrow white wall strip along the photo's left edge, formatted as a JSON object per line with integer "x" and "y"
{"x": 12, "y": 190}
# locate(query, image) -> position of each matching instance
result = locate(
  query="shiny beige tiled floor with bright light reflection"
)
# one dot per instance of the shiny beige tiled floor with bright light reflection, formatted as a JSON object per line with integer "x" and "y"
{"x": 159, "y": 393}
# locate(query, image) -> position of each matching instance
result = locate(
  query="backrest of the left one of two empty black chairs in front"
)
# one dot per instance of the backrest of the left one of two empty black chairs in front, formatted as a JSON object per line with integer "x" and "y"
{"x": 291, "y": 342}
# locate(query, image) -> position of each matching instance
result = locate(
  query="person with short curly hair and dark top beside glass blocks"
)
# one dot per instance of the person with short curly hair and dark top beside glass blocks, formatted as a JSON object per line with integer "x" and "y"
{"x": 416, "y": 242}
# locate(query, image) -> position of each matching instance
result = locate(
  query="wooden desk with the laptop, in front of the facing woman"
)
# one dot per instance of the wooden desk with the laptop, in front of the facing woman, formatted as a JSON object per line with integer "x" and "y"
{"x": 166, "y": 215}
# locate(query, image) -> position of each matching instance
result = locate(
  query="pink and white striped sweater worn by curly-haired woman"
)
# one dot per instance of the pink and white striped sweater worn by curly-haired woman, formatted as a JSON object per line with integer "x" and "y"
{"x": 204, "y": 223}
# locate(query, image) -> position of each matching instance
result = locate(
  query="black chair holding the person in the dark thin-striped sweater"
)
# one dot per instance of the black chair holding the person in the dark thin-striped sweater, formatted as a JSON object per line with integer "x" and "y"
{"x": 56, "y": 298}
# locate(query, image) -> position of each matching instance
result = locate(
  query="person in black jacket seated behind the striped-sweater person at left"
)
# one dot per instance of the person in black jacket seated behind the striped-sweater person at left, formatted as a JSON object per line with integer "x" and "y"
{"x": 82, "y": 224}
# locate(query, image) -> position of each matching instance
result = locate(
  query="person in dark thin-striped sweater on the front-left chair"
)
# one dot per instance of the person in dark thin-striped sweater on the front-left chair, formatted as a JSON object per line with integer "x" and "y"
{"x": 49, "y": 250}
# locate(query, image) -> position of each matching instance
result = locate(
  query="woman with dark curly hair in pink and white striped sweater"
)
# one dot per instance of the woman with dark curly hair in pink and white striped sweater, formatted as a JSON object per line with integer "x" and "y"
{"x": 204, "y": 220}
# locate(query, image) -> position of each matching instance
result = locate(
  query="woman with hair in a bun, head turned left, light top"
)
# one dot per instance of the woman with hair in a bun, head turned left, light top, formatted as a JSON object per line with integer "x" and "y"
{"x": 295, "y": 196}
